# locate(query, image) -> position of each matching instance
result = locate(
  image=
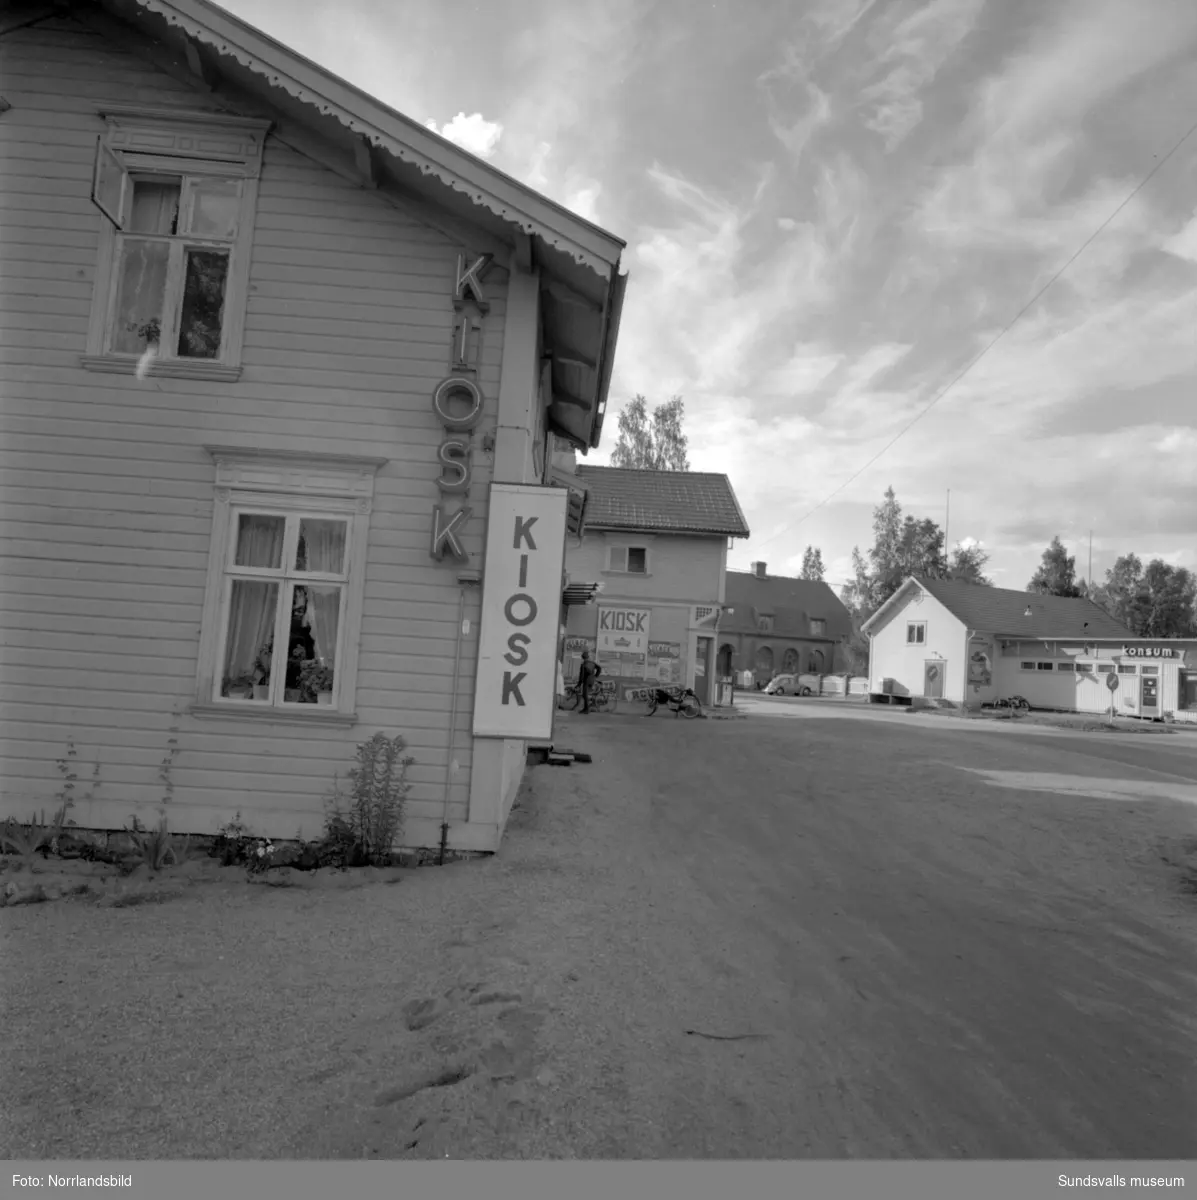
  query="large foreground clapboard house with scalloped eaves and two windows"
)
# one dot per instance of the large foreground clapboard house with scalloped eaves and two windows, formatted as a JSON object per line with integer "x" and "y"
{"x": 273, "y": 346}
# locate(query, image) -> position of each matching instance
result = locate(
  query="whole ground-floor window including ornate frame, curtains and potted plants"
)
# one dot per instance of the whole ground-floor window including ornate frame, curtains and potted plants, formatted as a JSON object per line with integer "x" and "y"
{"x": 286, "y": 581}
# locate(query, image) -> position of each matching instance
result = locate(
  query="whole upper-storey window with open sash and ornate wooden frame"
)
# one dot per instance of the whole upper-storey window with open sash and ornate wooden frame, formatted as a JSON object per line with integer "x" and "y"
{"x": 175, "y": 257}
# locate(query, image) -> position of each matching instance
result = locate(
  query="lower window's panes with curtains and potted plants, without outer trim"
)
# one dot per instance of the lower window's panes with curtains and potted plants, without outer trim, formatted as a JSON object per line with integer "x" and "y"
{"x": 286, "y": 585}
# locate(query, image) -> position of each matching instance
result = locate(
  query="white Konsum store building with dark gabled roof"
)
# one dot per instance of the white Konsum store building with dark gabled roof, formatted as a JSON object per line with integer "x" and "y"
{"x": 948, "y": 641}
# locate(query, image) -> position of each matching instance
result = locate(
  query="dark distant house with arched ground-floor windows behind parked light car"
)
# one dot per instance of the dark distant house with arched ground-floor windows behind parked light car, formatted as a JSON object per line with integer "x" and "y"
{"x": 780, "y": 626}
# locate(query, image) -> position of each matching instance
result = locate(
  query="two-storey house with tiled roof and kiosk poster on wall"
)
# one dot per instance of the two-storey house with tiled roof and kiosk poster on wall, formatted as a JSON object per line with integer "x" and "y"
{"x": 655, "y": 544}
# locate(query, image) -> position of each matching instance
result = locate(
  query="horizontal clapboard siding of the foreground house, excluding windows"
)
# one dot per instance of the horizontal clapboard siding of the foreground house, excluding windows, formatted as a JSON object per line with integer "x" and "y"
{"x": 109, "y": 491}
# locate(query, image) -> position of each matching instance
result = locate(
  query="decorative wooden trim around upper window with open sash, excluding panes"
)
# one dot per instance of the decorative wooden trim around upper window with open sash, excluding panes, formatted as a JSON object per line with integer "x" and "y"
{"x": 163, "y": 140}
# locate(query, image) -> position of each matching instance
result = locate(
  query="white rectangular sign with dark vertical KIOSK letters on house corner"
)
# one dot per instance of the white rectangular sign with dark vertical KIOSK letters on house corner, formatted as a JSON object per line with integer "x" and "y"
{"x": 521, "y": 613}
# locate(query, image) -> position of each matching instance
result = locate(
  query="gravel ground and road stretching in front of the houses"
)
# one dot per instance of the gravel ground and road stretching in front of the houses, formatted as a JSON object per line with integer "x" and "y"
{"x": 759, "y": 939}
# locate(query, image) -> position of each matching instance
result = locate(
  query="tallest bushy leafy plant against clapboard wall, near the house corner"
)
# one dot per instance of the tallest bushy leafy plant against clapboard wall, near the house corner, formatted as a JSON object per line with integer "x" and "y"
{"x": 371, "y": 812}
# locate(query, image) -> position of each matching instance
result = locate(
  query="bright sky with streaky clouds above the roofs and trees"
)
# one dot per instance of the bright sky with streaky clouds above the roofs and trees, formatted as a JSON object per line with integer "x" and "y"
{"x": 831, "y": 211}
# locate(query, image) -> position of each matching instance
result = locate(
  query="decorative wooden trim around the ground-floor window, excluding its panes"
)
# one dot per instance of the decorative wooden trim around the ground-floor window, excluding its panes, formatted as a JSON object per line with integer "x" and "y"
{"x": 287, "y": 482}
